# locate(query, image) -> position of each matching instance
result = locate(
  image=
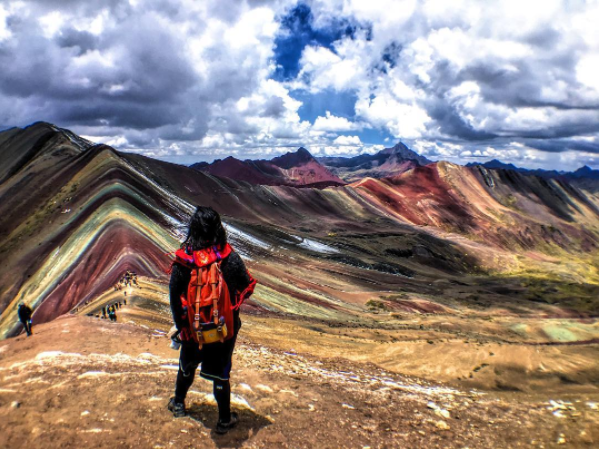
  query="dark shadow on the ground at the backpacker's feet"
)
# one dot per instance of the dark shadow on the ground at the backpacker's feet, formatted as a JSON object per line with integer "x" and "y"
{"x": 248, "y": 426}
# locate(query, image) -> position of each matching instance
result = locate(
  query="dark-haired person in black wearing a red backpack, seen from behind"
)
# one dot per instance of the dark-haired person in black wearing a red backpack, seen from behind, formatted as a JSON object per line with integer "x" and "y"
{"x": 206, "y": 253}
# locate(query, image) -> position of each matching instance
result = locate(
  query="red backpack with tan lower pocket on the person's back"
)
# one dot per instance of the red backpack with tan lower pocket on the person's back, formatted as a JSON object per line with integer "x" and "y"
{"x": 209, "y": 309}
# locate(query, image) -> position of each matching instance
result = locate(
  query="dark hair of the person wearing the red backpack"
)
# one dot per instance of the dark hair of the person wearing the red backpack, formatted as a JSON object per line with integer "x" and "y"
{"x": 205, "y": 230}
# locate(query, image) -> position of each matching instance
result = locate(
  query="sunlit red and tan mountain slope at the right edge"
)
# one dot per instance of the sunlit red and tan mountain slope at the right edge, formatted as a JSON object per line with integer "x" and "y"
{"x": 501, "y": 209}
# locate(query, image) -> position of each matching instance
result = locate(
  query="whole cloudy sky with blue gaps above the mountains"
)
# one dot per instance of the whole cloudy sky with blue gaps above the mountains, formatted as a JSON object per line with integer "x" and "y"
{"x": 192, "y": 80}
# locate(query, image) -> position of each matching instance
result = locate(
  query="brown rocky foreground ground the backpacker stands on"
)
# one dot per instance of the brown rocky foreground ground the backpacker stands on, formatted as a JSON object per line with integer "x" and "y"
{"x": 81, "y": 381}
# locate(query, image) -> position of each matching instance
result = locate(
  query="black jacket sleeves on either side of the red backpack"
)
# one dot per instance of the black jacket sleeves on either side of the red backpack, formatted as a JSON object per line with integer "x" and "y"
{"x": 235, "y": 275}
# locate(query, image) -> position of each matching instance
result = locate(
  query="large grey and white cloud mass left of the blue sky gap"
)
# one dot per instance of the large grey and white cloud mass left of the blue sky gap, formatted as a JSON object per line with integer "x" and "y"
{"x": 151, "y": 72}
